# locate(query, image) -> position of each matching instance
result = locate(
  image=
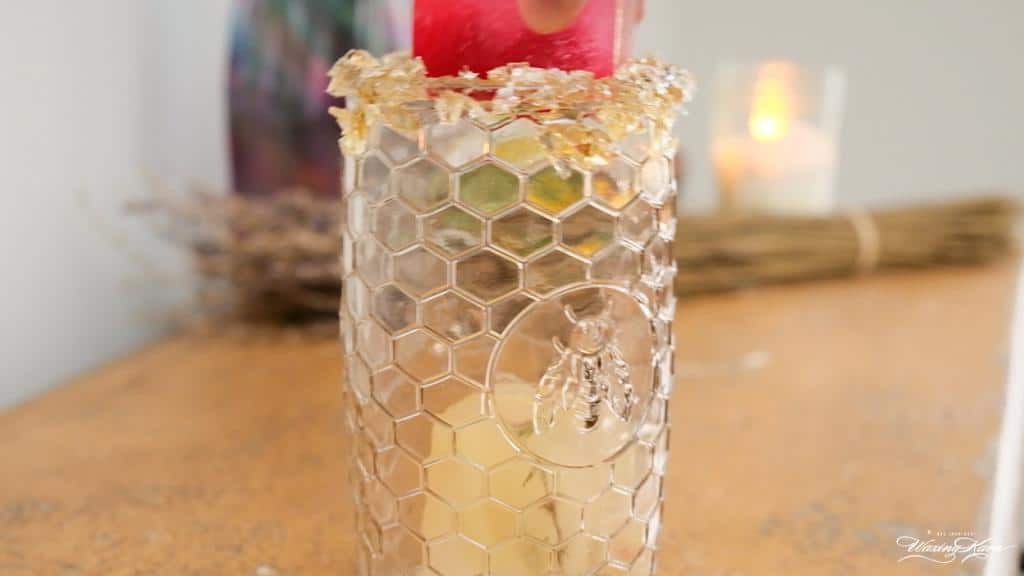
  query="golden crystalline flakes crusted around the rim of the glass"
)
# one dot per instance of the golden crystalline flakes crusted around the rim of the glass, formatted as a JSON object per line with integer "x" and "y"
{"x": 644, "y": 95}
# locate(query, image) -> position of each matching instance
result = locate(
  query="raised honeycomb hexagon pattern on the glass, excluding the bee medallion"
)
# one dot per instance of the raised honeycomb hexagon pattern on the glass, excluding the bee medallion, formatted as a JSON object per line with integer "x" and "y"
{"x": 445, "y": 248}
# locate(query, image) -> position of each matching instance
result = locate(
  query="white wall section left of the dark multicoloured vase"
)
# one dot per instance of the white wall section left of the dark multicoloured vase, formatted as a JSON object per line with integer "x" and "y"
{"x": 94, "y": 101}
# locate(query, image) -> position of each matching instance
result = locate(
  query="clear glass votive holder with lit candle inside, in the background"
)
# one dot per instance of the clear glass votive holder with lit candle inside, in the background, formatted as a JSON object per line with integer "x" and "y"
{"x": 776, "y": 130}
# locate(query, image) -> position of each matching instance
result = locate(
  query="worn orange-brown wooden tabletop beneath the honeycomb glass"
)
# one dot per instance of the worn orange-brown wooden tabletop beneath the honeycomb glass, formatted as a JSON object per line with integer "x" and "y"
{"x": 813, "y": 426}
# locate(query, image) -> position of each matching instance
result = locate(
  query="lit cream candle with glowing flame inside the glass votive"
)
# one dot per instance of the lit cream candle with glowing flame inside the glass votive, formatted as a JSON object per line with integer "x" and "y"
{"x": 781, "y": 163}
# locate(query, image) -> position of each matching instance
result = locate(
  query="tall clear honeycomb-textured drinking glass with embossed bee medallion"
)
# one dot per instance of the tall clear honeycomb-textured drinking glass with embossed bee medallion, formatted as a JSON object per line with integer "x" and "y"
{"x": 507, "y": 325}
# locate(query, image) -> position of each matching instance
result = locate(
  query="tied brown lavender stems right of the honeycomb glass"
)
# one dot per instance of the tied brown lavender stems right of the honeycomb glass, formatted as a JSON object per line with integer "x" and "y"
{"x": 724, "y": 253}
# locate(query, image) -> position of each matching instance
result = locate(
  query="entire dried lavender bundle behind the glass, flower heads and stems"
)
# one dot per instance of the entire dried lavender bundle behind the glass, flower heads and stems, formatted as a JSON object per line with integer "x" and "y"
{"x": 275, "y": 261}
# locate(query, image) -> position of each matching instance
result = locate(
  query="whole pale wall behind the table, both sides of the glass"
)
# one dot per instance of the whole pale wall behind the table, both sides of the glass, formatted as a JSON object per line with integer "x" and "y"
{"x": 100, "y": 94}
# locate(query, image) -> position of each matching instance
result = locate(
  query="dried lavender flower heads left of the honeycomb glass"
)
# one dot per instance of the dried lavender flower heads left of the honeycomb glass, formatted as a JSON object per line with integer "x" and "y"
{"x": 270, "y": 261}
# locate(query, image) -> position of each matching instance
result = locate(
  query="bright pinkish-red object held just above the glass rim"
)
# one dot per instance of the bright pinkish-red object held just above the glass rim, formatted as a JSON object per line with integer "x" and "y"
{"x": 481, "y": 35}
